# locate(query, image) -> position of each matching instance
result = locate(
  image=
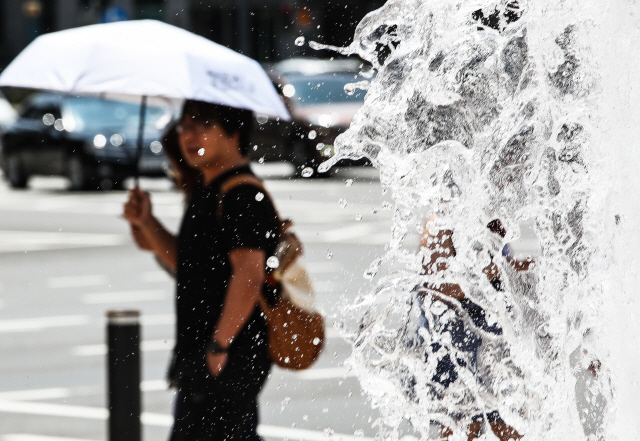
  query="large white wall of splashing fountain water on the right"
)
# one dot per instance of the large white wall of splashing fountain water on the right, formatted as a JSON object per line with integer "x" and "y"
{"x": 490, "y": 110}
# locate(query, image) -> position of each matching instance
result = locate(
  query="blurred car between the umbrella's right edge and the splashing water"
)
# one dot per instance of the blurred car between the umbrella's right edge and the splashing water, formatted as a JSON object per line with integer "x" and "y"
{"x": 313, "y": 91}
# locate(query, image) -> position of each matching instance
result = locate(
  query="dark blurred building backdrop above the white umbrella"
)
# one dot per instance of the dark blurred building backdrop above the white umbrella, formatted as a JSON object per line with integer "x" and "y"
{"x": 262, "y": 29}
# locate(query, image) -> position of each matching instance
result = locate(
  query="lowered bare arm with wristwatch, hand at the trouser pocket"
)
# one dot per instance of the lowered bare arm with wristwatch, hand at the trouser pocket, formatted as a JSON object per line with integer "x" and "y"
{"x": 247, "y": 278}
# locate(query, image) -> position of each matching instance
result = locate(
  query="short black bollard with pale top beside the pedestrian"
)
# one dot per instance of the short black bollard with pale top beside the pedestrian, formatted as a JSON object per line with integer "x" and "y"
{"x": 123, "y": 373}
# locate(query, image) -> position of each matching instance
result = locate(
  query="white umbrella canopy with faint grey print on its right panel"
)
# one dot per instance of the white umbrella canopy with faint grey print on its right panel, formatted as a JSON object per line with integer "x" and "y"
{"x": 144, "y": 58}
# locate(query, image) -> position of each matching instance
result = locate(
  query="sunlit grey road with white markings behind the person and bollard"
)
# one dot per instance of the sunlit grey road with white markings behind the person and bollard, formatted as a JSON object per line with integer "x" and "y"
{"x": 66, "y": 259}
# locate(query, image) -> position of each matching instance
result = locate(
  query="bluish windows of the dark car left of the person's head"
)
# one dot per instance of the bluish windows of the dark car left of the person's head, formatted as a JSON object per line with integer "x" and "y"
{"x": 96, "y": 115}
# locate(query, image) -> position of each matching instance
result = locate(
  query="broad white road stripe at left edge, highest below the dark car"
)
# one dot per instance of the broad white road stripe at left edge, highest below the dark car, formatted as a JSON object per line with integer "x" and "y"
{"x": 23, "y": 241}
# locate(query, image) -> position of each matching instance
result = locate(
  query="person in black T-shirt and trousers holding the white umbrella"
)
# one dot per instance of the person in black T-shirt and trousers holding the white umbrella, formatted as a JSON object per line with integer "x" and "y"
{"x": 219, "y": 259}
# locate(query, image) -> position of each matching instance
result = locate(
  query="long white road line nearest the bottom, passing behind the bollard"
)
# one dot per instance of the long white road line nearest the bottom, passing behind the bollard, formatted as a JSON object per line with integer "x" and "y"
{"x": 155, "y": 419}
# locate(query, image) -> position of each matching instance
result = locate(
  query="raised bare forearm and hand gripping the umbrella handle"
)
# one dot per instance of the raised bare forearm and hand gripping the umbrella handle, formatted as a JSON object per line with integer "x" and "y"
{"x": 148, "y": 232}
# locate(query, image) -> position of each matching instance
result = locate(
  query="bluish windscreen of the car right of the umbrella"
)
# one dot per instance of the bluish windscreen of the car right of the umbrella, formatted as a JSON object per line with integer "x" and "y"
{"x": 322, "y": 89}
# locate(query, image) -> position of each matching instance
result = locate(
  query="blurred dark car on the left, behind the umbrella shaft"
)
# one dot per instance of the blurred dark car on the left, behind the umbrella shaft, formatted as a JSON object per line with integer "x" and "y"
{"x": 90, "y": 140}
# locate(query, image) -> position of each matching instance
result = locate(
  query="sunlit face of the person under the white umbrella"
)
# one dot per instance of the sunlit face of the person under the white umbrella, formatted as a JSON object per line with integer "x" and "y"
{"x": 203, "y": 145}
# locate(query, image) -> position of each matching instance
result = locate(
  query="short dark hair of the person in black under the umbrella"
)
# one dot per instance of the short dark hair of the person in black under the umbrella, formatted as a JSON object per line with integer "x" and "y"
{"x": 231, "y": 120}
